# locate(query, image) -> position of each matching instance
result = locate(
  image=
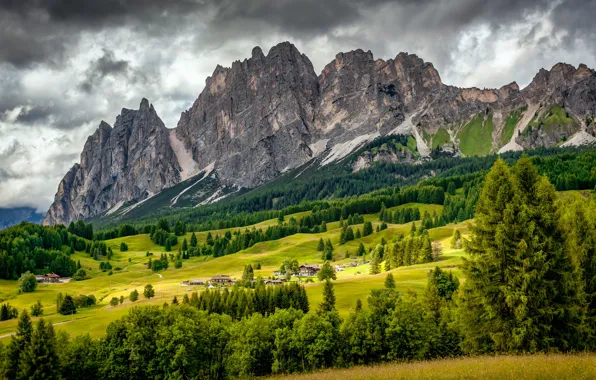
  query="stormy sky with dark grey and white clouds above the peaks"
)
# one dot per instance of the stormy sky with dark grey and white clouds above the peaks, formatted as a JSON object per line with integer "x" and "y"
{"x": 65, "y": 65}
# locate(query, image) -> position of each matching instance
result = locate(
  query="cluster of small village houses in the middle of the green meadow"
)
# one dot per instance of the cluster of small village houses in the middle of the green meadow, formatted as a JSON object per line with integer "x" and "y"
{"x": 305, "y": 271}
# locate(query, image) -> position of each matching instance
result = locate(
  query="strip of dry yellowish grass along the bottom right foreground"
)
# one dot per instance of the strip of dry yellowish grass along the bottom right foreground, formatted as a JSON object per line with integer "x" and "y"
{"x": 577, "y": 367}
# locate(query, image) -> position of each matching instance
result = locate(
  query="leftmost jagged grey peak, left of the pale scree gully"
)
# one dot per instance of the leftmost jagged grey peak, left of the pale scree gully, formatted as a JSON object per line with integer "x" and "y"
{"x": 127, "y": 162}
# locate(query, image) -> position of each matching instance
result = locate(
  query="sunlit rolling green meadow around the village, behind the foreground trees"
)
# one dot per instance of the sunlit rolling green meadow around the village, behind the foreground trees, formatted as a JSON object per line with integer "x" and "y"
{"x": 130, "y": 272}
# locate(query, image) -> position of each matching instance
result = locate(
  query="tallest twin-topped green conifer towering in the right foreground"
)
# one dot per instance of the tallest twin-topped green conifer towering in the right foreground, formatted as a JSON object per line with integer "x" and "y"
{"x": 522, "y": 291}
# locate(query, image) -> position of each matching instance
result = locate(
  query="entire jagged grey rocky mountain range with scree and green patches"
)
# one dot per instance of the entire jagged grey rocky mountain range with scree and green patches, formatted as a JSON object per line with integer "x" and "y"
{"x": 270, "y": 114}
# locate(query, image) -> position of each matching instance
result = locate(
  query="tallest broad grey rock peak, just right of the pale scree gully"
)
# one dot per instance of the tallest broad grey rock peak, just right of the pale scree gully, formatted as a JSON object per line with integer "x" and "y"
{"x": 254, "y": 120}
